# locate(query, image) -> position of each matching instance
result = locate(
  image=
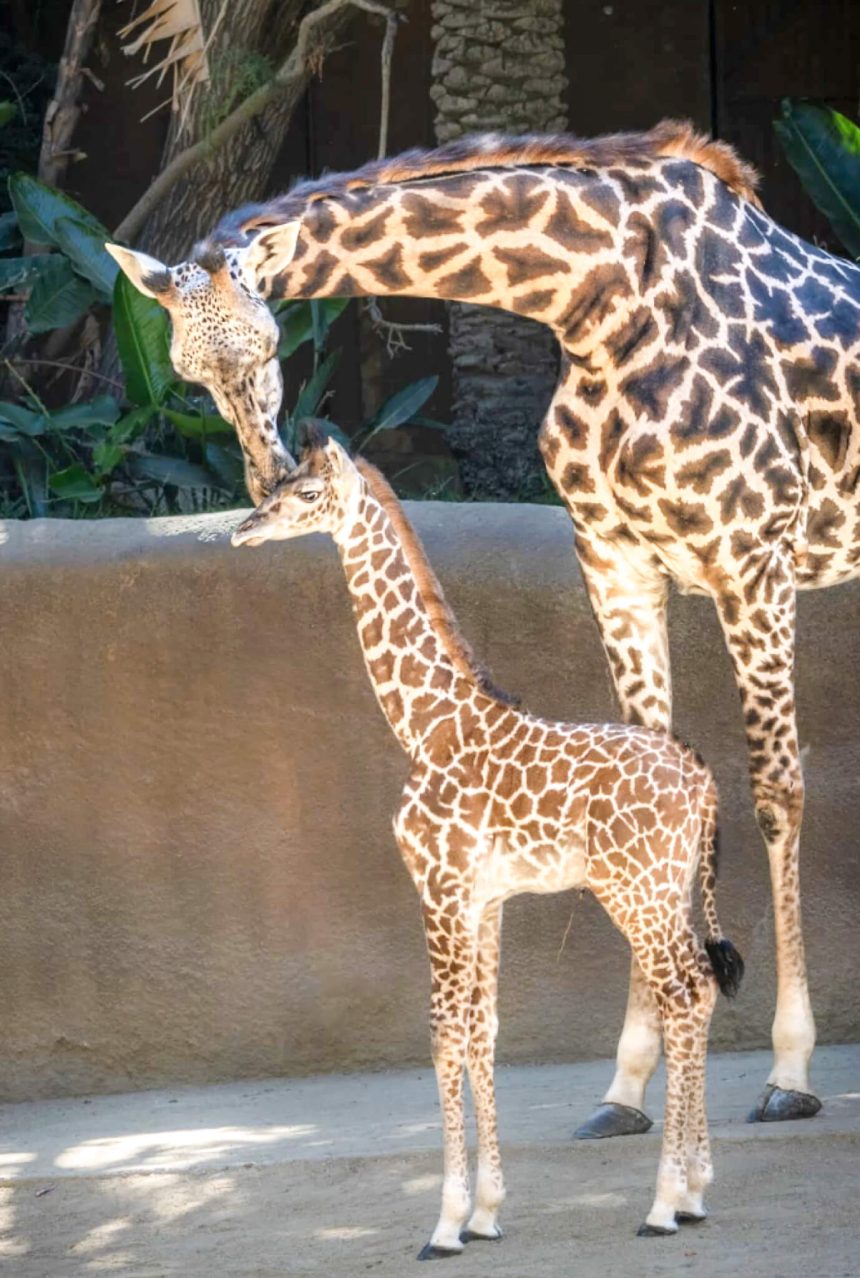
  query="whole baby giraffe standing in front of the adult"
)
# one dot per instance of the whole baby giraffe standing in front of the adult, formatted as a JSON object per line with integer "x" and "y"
{"x": 499, "y": 803}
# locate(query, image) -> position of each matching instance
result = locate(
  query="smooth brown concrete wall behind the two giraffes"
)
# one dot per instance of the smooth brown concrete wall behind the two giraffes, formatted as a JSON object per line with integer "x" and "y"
{"x": 199, "y": 879}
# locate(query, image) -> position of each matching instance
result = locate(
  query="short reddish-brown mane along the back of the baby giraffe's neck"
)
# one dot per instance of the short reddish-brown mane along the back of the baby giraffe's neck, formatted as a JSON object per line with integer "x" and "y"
{"x": 430, "y": 589}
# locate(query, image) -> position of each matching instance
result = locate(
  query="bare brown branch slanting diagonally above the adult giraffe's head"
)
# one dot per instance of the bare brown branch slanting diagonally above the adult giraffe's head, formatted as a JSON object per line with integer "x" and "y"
{"x": 292, "y": 75}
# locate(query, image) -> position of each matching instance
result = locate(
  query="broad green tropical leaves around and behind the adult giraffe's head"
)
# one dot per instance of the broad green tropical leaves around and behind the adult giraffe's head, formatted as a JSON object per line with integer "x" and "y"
{"x": 154, "y": 444}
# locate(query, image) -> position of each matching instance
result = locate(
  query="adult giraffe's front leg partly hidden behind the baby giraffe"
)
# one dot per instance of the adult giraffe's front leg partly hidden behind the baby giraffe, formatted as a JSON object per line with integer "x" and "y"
{"x": 629, "y": 604}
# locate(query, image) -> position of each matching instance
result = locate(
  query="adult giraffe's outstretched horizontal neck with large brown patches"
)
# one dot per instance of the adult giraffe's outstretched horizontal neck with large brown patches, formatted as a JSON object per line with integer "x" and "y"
{"x": 545, "y": 243}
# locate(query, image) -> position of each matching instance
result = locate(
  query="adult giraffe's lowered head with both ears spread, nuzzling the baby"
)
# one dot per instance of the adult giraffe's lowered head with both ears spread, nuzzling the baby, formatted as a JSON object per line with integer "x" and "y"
{"x": 226, "y": 338}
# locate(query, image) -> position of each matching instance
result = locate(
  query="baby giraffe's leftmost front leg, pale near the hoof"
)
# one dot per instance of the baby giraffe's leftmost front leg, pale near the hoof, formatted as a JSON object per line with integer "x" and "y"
{"x": 453, "y": 951}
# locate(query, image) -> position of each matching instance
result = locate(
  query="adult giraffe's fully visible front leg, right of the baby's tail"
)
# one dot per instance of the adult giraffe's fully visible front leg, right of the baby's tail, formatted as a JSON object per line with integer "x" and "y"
{"x": 760, "y": 632}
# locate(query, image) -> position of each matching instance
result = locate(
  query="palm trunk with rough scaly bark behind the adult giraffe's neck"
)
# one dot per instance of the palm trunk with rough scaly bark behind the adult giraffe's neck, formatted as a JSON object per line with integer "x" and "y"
{"x": 499, "y": 68}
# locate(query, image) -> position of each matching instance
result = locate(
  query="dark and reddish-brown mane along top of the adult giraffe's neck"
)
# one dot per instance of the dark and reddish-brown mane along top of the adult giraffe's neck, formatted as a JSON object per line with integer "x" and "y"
{"x": 495, "y": 151}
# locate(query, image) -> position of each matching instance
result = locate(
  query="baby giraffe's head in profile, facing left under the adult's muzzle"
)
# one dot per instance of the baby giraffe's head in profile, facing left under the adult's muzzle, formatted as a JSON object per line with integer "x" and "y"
{"x": 316, "y": 498}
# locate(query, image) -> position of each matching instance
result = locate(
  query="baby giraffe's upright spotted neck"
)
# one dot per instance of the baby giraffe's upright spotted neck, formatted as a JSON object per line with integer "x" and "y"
{"x": 421, "y": 668}
